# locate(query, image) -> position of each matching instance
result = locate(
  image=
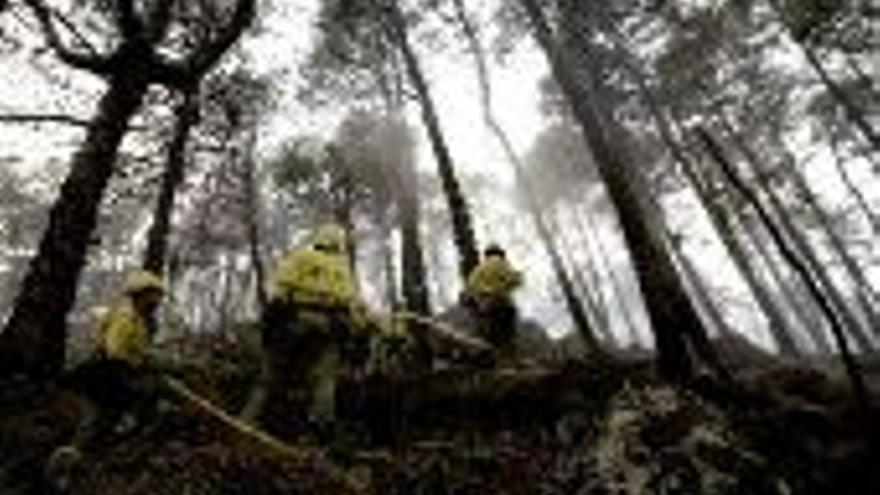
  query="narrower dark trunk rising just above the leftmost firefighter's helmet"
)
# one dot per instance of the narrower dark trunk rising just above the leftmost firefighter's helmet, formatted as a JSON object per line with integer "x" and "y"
{"x": 187, "y": 116}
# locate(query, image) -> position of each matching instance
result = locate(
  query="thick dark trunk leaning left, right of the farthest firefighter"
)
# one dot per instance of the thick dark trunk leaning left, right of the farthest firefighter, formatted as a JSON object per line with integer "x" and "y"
{"x": 672, "y": 315}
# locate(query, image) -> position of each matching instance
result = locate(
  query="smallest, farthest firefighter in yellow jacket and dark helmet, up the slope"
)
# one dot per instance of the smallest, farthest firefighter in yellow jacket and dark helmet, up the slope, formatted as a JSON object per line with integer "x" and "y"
{"x": 488, "y": 295}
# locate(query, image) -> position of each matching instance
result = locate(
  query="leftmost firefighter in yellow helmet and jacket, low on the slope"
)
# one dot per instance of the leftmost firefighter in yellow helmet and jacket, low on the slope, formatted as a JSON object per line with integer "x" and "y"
{"x": 118, "y": 379}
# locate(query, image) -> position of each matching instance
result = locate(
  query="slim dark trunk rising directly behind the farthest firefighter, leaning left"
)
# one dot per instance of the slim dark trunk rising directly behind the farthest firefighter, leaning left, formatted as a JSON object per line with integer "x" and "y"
{"x": 462, "y": 224}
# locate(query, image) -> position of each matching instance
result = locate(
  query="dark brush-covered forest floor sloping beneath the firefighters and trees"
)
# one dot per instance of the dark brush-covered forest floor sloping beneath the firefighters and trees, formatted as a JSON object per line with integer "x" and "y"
{"x": 566, "y": 428}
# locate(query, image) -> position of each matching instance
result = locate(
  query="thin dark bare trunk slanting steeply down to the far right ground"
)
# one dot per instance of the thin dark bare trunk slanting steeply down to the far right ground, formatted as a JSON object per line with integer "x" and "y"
{"x": 837, "y": 327}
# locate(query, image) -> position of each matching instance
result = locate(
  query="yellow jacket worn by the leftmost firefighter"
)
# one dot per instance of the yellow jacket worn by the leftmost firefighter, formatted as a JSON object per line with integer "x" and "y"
{"x": 123, "y": 334}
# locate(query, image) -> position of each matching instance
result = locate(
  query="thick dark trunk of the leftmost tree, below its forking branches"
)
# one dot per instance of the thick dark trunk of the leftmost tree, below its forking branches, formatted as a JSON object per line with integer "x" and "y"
{"x": 33, "y": 340}
